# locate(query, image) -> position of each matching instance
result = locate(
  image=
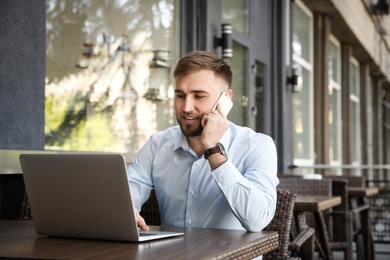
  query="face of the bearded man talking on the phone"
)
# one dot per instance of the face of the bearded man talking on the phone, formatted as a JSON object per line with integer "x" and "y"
{"x": 196, "y": 94}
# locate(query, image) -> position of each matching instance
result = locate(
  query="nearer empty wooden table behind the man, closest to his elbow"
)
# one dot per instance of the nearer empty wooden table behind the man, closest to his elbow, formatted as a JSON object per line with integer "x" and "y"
{"x": 316, "y": 205}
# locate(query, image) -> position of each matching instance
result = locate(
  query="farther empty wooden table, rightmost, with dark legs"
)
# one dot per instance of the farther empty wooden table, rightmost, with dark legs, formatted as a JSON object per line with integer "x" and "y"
{"x": 359, "y": 204}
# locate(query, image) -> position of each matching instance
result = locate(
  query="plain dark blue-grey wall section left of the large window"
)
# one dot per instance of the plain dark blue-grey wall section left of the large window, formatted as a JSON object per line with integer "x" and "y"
{"x": 22, "y": 74}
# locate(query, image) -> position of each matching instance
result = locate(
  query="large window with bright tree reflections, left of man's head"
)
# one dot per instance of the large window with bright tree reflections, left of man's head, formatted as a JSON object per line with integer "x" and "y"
{"x": 108, "y": 72}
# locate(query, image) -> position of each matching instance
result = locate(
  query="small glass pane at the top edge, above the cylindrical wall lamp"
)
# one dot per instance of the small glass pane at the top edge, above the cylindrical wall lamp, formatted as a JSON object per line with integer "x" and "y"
{"x": 237, "y": 14}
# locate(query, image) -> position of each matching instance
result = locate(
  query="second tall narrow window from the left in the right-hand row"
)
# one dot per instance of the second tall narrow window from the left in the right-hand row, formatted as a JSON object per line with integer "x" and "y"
{"x": 334, "y": 114}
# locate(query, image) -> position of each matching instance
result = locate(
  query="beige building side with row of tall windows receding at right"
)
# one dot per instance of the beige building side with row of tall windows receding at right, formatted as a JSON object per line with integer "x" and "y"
{"x": 348, "y": 71}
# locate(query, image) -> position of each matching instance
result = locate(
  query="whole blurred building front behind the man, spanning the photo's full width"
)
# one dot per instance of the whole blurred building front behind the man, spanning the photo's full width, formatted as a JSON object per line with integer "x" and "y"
{"x": 97, "y": 75}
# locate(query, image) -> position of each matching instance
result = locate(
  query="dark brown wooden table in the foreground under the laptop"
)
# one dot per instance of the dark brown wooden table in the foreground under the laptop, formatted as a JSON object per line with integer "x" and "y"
{"x": 19, "y": 240}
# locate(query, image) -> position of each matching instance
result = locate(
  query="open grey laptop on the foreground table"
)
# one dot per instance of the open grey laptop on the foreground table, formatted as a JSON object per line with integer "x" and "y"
{"x": 82, "y": 196}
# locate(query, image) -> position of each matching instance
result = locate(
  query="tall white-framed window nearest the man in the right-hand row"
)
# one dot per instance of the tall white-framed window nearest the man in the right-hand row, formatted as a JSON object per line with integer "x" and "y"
{"x": 302, "y": 101}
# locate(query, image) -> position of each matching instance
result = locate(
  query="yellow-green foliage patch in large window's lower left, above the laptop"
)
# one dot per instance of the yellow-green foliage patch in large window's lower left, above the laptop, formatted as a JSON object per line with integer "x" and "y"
{"x": 74, "y": 124}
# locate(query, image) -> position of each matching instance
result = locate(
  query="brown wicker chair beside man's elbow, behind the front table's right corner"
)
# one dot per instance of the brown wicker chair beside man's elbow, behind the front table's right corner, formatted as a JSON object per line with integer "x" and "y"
{"x": 282, "y": 223}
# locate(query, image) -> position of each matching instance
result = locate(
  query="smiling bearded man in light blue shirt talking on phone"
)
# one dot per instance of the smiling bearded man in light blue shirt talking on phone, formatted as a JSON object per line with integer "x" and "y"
{"x": 207, "y": 172}
